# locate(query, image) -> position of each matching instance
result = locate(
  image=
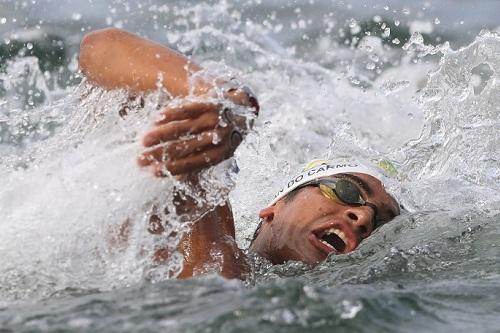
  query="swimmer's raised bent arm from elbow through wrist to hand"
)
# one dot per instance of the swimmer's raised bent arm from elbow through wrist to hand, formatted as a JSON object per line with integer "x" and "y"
{"x": 113, "y": 58}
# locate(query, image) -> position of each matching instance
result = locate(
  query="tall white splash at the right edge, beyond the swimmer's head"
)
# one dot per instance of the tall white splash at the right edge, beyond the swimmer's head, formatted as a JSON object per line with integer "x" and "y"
{"x": 461, "y": 128}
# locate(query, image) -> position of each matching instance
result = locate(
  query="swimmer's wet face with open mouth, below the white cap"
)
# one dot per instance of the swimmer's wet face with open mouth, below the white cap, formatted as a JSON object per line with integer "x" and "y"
{"x": 309, "y": 226}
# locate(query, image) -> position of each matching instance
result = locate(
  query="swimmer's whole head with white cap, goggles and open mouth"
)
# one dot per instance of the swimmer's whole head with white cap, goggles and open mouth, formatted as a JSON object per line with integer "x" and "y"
{"x": 330, "y": 207}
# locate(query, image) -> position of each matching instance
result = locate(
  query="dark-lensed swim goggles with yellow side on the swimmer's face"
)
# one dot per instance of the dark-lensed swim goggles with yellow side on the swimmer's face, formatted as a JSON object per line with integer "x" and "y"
{"x": 343, "y": 191}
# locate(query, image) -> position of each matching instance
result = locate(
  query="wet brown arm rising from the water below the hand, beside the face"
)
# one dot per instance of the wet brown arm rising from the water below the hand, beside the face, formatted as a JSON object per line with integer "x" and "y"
{"x": 208, "y": 247}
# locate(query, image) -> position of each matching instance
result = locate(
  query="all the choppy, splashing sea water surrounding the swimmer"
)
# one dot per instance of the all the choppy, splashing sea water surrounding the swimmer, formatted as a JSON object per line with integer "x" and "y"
{"x": 69, "y": 175}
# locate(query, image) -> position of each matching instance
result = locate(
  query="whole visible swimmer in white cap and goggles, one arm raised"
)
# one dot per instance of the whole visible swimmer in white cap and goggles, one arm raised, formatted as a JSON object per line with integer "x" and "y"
{"x": 328, "y": 207}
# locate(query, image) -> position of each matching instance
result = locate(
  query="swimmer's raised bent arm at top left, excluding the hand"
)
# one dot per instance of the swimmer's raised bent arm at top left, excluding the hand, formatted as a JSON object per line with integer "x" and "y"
{"x": 112, "y": 59}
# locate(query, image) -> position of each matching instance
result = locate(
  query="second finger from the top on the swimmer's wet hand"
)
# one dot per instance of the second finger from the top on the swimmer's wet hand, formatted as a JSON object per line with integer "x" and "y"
{"x": 176, "y": 129}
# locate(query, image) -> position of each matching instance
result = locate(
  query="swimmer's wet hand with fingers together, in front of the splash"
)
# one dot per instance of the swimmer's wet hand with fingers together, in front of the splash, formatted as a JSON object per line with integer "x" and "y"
{"x": 191, "y": 135}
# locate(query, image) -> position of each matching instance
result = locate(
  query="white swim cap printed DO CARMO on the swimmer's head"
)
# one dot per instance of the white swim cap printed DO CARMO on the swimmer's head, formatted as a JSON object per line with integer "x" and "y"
{"x": 324, "y": 168}
